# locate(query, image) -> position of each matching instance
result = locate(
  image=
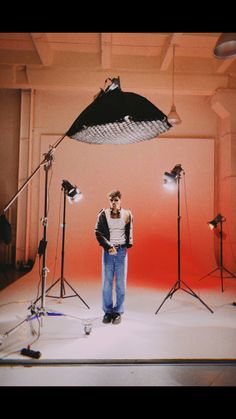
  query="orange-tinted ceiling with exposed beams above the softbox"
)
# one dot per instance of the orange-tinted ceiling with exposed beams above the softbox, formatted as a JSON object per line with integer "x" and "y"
{"x": 142, "y": 60}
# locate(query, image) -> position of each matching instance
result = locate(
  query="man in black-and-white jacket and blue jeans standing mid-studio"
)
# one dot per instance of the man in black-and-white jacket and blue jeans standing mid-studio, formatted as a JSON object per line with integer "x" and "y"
{"x": 114, "y": 232}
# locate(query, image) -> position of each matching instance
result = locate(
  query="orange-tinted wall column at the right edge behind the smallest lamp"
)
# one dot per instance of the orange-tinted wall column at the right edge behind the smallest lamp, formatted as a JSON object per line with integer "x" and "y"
{"x": 224, "y": 104}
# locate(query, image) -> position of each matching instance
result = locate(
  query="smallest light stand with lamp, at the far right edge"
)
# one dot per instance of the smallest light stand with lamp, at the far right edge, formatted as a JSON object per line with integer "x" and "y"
{"x": 212, "y": 224}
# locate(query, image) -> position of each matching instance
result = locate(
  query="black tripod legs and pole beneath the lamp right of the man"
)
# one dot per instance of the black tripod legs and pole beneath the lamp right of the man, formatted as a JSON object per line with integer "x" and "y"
{"x": 179, "y": 283}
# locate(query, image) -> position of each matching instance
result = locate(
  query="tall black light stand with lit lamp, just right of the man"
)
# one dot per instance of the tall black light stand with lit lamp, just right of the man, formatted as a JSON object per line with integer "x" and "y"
{"x": 179, "y": 284}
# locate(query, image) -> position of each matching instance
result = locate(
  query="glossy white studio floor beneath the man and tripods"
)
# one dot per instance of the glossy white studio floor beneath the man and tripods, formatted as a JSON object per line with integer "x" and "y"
{"x": 183, "y": 329}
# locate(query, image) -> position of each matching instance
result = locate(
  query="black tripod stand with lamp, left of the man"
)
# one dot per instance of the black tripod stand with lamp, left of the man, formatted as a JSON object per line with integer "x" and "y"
{"x": 62, "y": 278}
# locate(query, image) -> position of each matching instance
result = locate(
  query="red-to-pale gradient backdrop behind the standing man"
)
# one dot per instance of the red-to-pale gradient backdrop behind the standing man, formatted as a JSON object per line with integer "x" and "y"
{"x": 137, "y": 170}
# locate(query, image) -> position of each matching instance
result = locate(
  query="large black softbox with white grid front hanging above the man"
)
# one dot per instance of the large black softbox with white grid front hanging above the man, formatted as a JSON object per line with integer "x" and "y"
{"x": 118, "y": 117}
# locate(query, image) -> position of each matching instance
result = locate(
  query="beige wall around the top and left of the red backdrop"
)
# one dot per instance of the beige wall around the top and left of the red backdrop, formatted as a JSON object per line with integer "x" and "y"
{"x": 56, "y": 111}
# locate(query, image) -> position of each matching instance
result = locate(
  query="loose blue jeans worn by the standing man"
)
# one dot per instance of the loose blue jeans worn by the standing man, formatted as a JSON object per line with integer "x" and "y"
{"x": 114, "y": 266}
